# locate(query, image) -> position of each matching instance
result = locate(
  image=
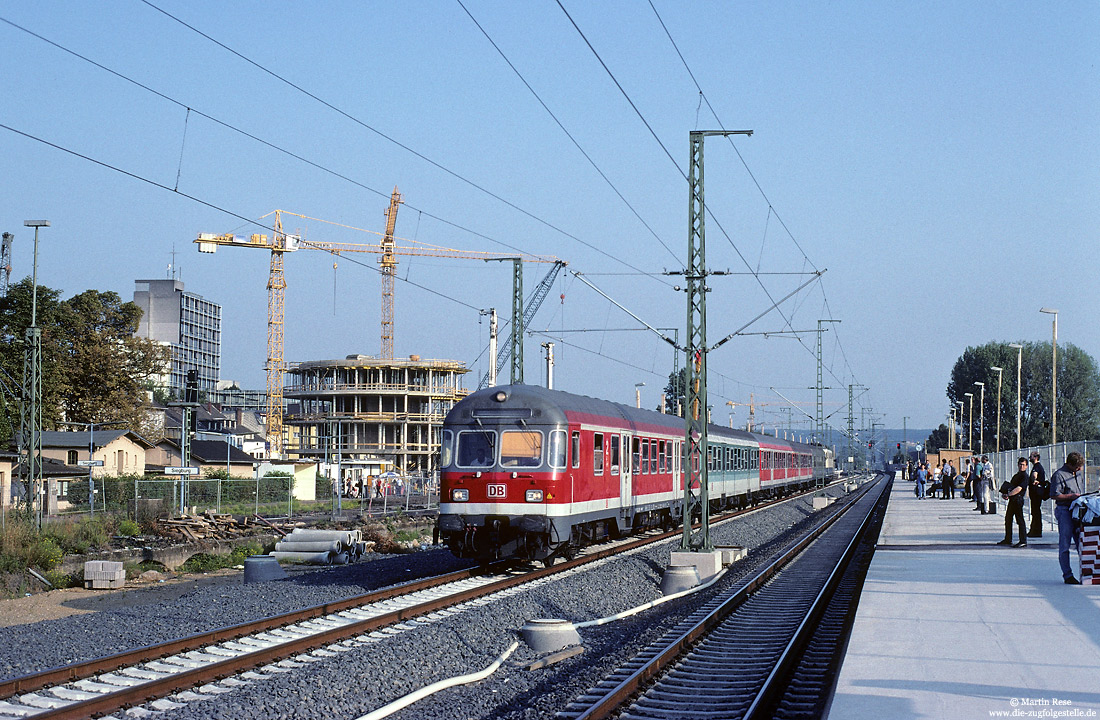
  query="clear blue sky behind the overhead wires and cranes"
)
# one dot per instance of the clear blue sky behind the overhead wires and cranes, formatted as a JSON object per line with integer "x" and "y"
{"x": 939, "y": 160}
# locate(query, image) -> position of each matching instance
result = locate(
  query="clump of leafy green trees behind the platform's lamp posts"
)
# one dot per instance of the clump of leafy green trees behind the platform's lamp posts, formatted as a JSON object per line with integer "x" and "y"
{"x": 1079, "y": 394}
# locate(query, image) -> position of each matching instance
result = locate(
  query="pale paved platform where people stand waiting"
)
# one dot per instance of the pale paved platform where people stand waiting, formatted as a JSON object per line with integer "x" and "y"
{"x": 952, "y": 626}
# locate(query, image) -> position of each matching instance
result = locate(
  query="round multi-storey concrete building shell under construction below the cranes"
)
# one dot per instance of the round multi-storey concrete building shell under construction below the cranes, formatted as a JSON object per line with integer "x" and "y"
{"x": 361, "y": 407}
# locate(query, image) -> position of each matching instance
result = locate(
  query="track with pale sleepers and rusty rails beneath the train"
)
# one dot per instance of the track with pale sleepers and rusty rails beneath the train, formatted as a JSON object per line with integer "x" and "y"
{"x": 147, "y": 675}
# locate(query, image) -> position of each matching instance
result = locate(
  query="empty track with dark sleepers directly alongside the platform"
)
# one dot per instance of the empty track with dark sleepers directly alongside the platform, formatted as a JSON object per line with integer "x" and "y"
{"x": 766, "y": 649}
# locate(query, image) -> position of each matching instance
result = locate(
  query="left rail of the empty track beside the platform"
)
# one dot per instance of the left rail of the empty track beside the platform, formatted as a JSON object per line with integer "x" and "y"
{"x": 611, "y": 703}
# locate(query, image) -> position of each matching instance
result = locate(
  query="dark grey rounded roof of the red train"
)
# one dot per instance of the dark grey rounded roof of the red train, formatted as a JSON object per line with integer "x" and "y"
{"x": 549, "y": 406}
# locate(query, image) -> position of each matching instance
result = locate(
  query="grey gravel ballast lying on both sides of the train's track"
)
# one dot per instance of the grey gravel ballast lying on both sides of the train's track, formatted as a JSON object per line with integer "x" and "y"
{"x": 371, "y": 674}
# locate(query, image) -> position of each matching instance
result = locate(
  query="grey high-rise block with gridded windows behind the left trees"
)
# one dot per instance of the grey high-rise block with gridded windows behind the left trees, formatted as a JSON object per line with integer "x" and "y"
{"x": 189, "y": 324}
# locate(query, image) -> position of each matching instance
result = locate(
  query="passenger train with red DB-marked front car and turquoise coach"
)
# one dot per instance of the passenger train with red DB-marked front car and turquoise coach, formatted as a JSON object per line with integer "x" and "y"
{"x": 534, "y": 473}
